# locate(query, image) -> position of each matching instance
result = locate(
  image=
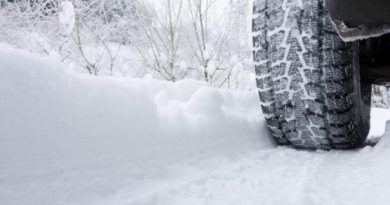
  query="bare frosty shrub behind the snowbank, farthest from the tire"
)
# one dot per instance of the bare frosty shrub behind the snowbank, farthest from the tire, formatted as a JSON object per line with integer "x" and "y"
{"x": 100, "y": 21}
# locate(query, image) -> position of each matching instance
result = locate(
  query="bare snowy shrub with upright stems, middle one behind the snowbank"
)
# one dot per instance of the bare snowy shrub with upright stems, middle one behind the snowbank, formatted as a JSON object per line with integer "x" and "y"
{"x": 160, "y": 31}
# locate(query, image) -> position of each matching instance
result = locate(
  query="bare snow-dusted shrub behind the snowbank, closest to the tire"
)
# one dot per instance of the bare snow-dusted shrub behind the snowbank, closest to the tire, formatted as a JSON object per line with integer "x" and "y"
{"x": 214, "y": 33}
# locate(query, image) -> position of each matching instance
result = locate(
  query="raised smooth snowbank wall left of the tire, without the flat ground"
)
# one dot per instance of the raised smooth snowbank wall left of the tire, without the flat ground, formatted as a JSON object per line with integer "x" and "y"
{"x": 61, "y": 112}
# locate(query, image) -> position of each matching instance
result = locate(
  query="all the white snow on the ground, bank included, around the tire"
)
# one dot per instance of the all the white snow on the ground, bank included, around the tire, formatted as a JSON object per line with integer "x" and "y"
{"x": 68, "y": 138}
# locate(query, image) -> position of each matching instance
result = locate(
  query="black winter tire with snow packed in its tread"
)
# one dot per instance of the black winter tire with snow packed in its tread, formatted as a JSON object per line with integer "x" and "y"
{"x": 308, "y": 79}
